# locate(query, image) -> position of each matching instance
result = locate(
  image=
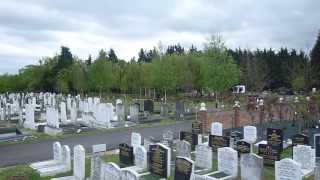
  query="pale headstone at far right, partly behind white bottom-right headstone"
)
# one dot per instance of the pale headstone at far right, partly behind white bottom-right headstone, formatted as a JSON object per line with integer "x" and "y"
{"x": 304, "y": 155}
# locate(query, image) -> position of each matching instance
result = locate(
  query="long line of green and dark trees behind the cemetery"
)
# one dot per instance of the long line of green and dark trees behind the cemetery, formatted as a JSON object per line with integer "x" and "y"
{"x": 176, "y": 69}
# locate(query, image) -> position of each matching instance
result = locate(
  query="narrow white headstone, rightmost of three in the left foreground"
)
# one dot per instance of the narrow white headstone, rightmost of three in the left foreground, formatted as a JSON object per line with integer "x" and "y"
{"x": 79, "y": 157}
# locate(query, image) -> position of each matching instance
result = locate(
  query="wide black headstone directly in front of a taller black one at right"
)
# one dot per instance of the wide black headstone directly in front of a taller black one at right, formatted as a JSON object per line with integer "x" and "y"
{"x": 269, "y": 153}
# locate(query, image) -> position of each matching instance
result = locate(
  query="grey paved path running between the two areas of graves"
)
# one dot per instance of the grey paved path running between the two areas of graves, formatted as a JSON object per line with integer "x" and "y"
{"x": 15, "y": 154}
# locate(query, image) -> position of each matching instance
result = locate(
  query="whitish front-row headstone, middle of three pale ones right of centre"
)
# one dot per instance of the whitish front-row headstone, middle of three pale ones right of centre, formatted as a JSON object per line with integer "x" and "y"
{"x": 228, "y": 161}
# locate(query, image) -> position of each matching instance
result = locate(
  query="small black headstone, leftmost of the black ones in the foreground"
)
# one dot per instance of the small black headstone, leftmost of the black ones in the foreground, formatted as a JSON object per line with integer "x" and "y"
{"x": 126, "y": 157}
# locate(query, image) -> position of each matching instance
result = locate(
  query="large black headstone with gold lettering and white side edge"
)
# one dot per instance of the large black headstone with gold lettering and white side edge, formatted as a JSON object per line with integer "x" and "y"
{"x": 159, "y": 160}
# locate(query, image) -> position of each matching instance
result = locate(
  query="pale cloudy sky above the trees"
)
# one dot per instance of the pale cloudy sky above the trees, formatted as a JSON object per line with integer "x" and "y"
{"x": 32, "y": 29}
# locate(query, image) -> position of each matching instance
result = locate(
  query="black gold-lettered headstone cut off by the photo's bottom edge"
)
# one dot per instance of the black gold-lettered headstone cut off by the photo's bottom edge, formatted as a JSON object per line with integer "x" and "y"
{"x": 184, "y": 168}
